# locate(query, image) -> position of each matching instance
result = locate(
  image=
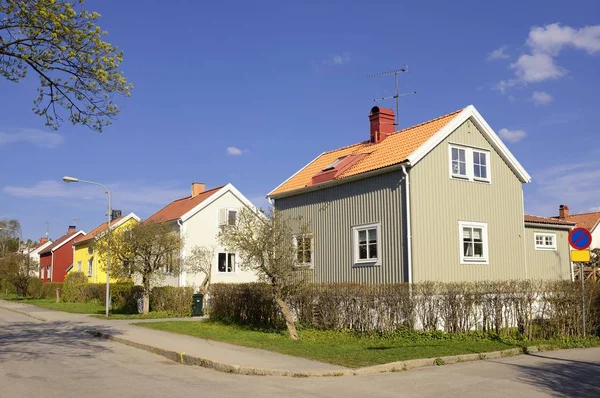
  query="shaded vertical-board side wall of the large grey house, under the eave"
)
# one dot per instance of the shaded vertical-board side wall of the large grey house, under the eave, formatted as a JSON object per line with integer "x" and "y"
{"x": 332, "y": 212}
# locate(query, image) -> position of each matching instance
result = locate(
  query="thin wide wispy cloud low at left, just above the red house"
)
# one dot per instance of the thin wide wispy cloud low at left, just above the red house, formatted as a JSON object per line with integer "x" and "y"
{"x": 126, "y": 195}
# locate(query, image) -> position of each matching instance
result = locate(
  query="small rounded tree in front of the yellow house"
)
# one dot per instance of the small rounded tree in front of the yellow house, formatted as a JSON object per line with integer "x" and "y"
{"x": 149, "y": 251}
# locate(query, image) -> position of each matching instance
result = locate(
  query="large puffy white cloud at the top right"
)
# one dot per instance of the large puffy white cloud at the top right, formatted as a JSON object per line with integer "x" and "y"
{"x": 545, "y": 44}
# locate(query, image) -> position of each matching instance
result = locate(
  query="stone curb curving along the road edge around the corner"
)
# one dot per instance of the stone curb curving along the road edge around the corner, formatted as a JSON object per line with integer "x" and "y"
{"x": 183, "y": 358}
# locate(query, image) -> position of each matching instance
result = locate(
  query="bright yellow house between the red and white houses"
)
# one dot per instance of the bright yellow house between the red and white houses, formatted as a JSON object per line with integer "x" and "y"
{"x": 84, "y": 259}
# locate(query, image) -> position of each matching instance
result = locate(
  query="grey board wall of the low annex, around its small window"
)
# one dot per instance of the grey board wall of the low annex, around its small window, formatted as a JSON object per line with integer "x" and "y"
{"x": 548, "y": 264}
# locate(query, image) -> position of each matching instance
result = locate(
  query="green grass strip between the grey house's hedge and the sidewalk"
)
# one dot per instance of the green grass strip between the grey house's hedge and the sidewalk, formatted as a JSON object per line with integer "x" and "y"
{"x": 348, "y": 349}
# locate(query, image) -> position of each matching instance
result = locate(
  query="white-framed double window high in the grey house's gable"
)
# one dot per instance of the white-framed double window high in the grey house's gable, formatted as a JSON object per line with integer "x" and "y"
{"x": 469, "y": 163}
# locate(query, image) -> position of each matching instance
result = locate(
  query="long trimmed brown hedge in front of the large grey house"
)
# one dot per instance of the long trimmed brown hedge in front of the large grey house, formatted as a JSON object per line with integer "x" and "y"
{"x": 537, "y": 309}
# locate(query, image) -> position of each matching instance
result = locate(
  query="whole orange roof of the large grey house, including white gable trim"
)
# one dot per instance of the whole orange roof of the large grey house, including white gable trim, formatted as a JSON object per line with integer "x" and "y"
{"x": 408, "y": 145}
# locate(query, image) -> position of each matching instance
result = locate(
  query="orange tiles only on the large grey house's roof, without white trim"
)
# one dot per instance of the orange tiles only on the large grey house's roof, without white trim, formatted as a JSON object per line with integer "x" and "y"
{"x": 393, "y": 150}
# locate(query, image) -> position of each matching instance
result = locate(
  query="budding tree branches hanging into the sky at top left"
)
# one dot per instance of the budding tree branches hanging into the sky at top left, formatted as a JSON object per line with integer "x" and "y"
{"x": 78, "y": 71}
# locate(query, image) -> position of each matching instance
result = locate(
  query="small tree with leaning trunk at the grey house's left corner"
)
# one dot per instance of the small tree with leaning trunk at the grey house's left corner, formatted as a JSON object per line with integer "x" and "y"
{"x": 265, "y": 243}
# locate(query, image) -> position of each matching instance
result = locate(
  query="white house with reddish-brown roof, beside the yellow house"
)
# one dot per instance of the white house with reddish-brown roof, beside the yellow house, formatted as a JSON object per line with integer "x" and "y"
{"x": 198, "y": 218}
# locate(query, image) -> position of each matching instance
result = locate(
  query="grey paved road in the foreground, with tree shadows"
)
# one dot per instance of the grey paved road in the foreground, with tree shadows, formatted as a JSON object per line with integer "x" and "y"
{"x": 53, "y": 360}
